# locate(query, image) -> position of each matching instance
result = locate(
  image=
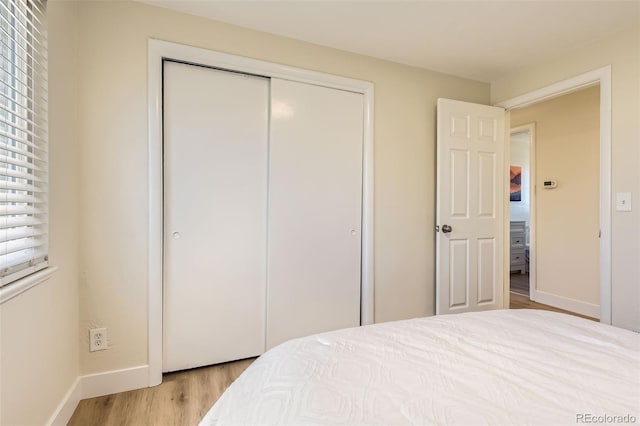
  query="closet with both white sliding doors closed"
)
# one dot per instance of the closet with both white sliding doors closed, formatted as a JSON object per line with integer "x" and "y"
{"x": 262, "y": 213}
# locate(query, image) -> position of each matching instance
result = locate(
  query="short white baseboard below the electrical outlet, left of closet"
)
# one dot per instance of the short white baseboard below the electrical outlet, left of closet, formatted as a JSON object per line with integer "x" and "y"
{"x": 115, "y": 381}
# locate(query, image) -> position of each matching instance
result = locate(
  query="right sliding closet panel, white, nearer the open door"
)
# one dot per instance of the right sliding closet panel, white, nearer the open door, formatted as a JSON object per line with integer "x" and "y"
{"x": 315, "y": 203}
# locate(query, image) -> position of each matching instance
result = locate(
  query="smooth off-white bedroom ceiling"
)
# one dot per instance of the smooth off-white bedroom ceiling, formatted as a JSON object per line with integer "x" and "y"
{"x": 480, "y": 40}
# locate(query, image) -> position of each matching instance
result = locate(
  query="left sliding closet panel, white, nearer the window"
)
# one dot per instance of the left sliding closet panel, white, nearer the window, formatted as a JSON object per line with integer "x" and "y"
{"x": 215, "y": 209}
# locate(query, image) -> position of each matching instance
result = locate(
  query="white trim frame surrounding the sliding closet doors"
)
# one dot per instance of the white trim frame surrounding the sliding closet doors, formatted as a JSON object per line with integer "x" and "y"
{"x": 158, "y": 51}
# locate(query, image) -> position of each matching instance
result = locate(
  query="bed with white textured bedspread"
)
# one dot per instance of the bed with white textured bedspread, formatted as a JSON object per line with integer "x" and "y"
{"x": 505, "y": 367}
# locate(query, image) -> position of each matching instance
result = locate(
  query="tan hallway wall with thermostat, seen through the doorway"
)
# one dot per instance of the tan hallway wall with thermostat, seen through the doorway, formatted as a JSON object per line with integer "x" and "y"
{"x": 567, "y": 149}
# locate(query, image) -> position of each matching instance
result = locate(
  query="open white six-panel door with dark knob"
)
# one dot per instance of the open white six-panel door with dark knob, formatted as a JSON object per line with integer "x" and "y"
{"x": 469, "y": 207}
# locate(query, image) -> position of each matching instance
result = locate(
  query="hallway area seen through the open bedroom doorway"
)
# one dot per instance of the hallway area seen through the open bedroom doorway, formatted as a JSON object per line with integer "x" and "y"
{"x": 556, "y": 145}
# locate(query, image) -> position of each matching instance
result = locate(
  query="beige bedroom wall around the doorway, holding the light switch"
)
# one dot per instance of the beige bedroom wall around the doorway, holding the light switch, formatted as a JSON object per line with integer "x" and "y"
{"x": 623, "y": 54}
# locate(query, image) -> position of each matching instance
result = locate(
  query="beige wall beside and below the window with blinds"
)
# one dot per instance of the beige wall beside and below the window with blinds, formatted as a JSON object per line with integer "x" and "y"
{"x": 39, "y": 328}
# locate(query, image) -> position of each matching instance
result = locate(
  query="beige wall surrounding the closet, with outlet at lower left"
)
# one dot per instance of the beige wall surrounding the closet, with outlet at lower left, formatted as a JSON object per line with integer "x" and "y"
{"x": 113, "y": 105}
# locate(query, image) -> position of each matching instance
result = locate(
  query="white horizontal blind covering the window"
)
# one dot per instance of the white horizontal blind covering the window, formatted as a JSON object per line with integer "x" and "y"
{"x": 23, "y": 138}
